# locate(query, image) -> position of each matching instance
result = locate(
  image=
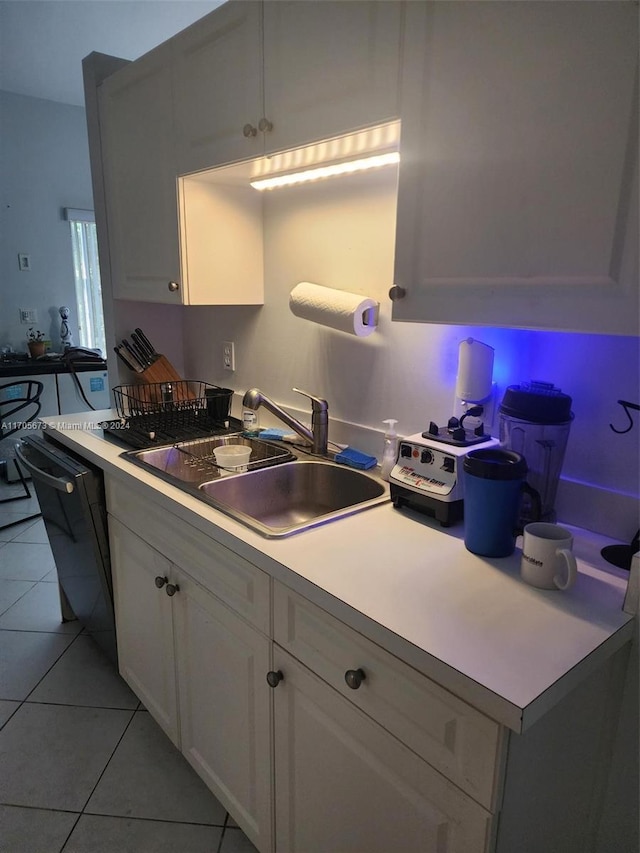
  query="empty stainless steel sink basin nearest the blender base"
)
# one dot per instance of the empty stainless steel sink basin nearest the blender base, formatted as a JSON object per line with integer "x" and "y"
{"x": 294, "y": 496}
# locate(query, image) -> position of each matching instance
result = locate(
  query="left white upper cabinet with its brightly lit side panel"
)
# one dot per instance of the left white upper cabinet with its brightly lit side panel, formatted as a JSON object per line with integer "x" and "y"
{"x": 189, "y": 245}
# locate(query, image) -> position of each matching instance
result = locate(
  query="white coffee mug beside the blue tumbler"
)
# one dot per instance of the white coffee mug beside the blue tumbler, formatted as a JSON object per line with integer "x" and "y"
{"x": 547, "y": 560}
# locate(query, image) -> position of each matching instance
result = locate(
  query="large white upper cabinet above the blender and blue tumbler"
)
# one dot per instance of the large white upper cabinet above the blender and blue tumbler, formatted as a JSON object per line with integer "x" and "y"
{"x": 517, "y": 201}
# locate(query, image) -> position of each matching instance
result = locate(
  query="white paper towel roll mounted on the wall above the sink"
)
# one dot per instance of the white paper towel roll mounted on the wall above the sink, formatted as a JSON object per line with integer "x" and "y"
{"x": 338, "y": 309}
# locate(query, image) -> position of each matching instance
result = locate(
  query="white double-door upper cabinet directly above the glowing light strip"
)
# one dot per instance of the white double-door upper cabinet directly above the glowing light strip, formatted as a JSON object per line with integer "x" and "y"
{"x": 253, "y": 78}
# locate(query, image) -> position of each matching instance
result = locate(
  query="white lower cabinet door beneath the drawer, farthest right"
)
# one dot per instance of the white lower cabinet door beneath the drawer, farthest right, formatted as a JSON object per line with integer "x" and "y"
{"x": 343, "y": 783}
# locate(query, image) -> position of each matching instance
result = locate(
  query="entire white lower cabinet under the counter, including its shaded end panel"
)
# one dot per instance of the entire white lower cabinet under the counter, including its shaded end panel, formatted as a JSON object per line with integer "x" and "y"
{"x": 318, "y": 740}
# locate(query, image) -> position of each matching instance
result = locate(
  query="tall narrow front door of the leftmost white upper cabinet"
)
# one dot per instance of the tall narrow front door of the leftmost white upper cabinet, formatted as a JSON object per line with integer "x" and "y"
{"x": 140, "y": 179}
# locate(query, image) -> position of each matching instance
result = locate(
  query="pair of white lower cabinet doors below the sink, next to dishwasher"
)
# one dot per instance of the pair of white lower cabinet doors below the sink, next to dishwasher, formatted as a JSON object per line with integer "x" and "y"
{"x": 200, "y": 671}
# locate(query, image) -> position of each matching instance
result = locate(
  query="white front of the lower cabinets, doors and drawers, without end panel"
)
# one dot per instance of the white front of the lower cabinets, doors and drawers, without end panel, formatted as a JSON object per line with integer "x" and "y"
{"x": 300, "y": 767}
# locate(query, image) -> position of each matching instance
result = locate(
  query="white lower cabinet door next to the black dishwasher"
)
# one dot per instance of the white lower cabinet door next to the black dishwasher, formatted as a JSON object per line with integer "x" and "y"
{"x": 144, "y": 625}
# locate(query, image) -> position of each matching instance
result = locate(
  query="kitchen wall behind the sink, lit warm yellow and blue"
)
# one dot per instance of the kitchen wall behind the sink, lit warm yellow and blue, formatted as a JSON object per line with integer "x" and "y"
{"x": 341, "y": 234}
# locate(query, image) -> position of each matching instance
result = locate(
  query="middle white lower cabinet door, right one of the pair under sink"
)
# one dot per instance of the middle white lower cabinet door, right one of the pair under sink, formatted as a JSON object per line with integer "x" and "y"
{"x": 225, "y": 706}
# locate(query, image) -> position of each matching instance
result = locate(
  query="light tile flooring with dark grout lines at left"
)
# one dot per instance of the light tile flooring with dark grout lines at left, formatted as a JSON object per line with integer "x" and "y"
{"x": 83, "y": 767}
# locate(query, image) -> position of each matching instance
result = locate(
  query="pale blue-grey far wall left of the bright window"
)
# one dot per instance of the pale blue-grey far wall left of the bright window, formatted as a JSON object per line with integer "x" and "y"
{"x": 44, "y": 167}
